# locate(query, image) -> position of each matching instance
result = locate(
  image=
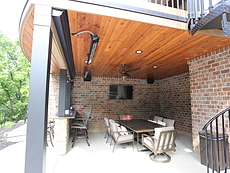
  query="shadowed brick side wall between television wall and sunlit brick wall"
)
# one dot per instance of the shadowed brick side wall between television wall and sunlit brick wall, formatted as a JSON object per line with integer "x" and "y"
{"x": 175, "y": 101}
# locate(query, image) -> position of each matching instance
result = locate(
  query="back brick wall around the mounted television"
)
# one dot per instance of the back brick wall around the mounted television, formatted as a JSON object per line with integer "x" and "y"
{"x": 95, "y": 93}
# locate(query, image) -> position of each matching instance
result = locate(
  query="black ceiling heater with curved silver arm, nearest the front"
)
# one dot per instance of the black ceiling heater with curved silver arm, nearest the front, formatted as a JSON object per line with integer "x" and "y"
{"x": 93, "y": 46}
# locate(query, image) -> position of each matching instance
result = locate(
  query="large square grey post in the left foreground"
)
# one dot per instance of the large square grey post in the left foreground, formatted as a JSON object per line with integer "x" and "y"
{"x": 39, "y": 91}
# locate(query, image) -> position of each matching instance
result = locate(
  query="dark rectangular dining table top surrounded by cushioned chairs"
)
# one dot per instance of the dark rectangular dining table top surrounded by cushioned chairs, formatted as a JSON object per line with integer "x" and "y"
{"x": 139, "y": 125}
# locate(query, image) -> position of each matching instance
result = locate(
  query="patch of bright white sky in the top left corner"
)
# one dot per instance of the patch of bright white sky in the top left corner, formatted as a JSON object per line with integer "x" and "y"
{"x": 9, "y": 17}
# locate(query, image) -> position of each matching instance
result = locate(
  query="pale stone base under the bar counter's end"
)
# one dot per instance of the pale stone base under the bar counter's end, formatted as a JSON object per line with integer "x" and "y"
{"x": 61, "y": 135}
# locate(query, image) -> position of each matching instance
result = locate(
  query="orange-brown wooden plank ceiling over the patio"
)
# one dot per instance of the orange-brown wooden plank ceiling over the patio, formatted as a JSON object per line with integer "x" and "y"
{"x": 167, "y": 48}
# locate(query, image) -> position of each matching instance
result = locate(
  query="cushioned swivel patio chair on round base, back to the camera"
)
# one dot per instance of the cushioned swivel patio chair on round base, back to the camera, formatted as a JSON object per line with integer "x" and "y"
{"x": 162, "y": 142}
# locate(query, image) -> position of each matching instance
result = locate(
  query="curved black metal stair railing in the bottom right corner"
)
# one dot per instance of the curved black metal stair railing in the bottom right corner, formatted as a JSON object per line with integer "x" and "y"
{"x": 215, "y": 134}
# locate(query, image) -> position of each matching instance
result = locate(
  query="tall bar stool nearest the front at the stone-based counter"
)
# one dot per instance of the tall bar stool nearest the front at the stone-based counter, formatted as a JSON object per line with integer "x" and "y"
{"x": 79, "y": 125}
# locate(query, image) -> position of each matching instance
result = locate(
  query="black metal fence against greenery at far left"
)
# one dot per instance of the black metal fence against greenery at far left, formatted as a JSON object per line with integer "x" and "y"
{"x": 14, "y": 115}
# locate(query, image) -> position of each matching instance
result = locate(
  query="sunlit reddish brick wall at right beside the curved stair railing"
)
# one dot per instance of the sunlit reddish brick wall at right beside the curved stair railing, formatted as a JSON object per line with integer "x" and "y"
{"x": 210, "y": 88}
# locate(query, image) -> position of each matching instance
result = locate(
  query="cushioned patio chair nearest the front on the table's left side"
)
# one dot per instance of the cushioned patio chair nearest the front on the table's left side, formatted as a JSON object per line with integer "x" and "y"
{"x": 120, "y": 136}
